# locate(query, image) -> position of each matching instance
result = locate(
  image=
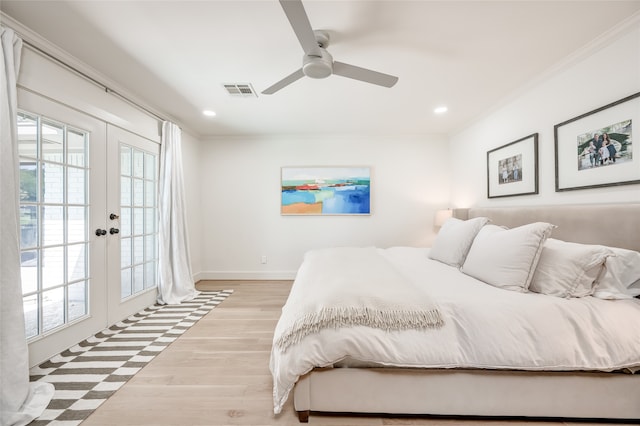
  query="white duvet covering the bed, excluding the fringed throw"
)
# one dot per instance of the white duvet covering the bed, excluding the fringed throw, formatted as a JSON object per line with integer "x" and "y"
{"x": 484, "y": 327}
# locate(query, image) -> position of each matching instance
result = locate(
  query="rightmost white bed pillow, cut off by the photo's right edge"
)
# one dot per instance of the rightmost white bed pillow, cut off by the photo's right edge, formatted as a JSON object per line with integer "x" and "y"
{"x": 620, "y": 277}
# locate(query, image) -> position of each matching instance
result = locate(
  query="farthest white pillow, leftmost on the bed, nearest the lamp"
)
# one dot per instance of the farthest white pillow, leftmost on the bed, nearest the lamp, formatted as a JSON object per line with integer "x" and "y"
{"x": 454, "y": 239}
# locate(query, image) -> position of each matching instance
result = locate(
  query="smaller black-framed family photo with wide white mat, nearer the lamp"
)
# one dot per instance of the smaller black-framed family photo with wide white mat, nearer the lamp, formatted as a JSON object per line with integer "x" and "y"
{"x": 512, "y": 169}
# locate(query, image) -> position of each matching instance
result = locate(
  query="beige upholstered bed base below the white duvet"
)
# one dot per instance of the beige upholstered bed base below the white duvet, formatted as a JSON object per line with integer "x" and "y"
{"x": 477, "y": 393}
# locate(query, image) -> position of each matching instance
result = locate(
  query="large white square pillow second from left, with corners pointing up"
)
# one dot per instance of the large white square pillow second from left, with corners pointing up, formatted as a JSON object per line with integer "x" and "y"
{"x": 507, "y": 258}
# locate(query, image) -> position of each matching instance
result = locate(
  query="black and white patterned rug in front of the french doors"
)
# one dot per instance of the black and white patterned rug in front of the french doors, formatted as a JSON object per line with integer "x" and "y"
{"x": 87, "y": 374}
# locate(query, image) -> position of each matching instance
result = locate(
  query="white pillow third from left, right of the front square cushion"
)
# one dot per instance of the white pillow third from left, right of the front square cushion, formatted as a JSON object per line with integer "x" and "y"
{"x": 568, "y": 269}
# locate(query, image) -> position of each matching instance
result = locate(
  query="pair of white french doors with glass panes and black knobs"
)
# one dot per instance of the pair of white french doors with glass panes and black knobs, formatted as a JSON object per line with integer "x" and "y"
{"x": 74, "y": 260}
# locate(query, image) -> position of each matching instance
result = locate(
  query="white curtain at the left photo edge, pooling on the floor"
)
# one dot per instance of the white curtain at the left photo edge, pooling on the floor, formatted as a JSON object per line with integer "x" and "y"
{"x": 20, "y": 401}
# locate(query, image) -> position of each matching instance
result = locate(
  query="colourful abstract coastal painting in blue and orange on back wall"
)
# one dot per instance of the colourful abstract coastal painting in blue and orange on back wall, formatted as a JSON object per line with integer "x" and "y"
{"x": 326, "y": 191}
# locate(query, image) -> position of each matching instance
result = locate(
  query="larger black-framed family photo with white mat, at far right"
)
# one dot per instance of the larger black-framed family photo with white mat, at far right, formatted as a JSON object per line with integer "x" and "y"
{"x": 595, "y": 149}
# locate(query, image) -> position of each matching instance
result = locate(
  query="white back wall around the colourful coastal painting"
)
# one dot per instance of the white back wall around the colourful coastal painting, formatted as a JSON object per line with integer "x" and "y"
{"x": 240, "y": 190}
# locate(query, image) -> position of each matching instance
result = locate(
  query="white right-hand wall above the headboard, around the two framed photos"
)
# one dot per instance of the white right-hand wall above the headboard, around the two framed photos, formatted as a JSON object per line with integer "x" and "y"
{"x": 605, "y": 75}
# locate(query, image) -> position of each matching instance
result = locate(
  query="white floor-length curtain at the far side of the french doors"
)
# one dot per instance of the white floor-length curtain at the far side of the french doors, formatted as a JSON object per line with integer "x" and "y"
{"x": 175, "y": 278}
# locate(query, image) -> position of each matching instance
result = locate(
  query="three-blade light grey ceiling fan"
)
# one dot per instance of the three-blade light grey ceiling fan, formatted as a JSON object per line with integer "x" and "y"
{"x": 317, "y": 62}
